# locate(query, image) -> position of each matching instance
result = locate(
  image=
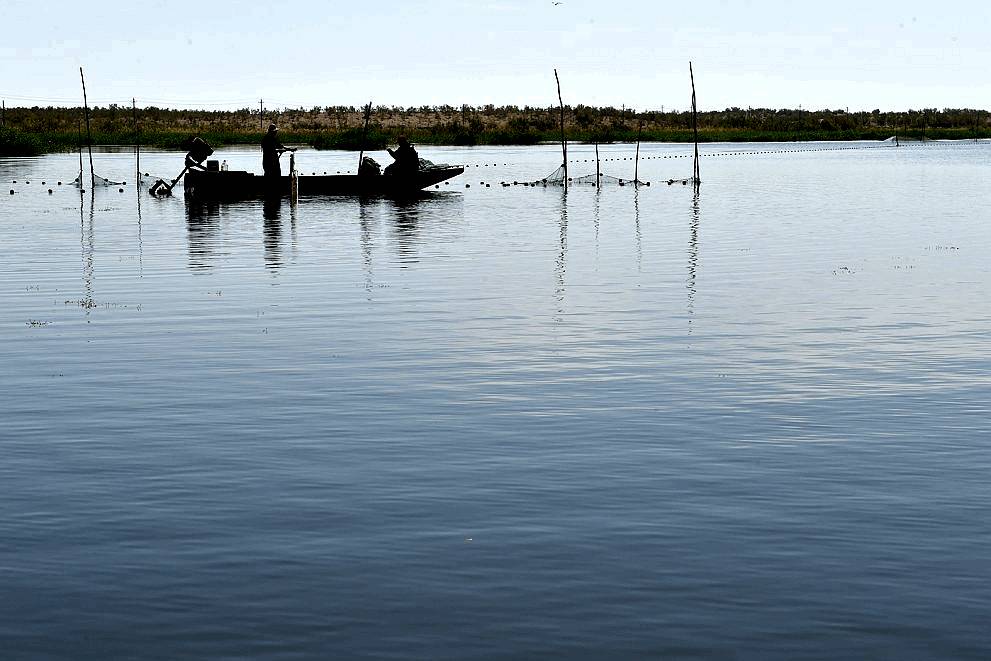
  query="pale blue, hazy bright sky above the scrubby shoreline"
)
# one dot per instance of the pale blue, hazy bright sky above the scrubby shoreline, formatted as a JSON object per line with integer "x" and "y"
{"x": 226, "y": 55}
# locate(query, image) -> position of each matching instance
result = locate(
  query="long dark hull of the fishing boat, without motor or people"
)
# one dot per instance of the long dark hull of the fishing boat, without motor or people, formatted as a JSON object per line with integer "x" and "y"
{"x": 237, "y": 185}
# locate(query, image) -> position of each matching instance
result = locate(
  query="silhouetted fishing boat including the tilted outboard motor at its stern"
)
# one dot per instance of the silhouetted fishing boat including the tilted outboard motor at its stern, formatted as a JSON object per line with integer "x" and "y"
{"x": 211, "y": 182}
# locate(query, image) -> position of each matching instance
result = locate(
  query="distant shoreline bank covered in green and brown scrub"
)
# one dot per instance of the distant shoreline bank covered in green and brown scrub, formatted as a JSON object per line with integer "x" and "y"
{"x": 37, "y": 129}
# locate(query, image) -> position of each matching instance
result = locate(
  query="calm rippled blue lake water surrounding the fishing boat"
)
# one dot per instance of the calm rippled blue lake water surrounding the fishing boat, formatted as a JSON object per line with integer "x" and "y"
{"x": 503, "y": 422}
